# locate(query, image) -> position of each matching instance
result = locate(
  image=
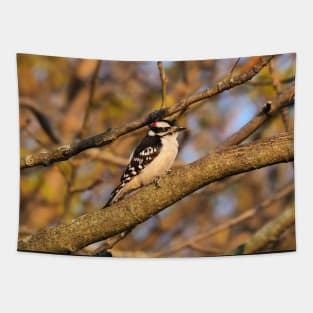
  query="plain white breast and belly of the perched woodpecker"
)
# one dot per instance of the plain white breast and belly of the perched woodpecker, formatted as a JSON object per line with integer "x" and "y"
{"x": 163, "y": 162}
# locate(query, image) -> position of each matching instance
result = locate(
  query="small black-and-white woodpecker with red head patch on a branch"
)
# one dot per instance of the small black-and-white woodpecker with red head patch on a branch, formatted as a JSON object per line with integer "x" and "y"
{"x": 152, "y": 158}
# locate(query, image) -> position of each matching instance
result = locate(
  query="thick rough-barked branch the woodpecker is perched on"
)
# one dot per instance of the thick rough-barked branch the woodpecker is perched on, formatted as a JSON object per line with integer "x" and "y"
{"x": 151, "y": 199}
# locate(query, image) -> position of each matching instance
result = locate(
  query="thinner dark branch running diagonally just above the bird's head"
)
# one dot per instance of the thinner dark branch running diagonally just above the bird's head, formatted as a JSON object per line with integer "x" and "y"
{"x": 65, "y": 152}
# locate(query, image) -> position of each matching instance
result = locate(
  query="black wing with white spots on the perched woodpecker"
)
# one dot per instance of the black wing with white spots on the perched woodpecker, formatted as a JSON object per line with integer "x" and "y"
{"x": 144, "y": 154}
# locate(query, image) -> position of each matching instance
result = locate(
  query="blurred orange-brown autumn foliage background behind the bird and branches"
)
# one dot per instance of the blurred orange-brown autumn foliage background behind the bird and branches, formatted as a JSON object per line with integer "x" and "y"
{"x": 65, "y": 99}
